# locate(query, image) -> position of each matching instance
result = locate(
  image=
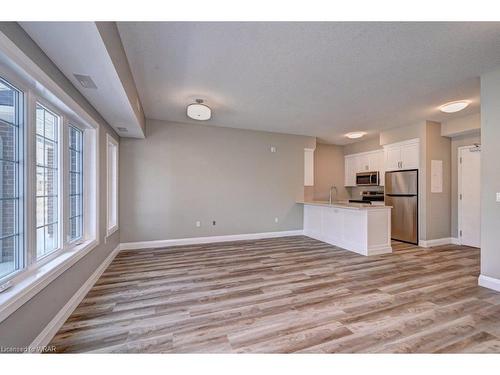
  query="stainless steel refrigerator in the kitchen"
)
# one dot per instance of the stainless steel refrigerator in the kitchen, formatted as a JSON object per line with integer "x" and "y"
{"x": 401, "y": 192}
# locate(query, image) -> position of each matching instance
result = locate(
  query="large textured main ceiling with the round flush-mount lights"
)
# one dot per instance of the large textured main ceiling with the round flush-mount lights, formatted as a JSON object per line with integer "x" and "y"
{"x": 318, "y": 79}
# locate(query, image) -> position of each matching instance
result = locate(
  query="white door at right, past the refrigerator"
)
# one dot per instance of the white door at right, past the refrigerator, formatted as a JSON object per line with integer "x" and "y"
{"x": 469, "y": 196}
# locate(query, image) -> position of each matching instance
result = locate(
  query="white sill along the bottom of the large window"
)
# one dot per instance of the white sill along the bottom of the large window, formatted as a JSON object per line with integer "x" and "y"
{"x": 32, "y": 280}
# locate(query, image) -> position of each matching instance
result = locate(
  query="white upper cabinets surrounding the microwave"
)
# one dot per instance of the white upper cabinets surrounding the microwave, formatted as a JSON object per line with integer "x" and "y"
{"x": 370, "y": 161}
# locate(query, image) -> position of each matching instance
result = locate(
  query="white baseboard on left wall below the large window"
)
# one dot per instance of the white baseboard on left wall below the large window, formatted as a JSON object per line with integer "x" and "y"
{"x": 48, "y": 333}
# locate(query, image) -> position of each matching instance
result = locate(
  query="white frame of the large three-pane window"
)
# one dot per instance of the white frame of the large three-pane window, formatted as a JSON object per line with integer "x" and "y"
{"x": 33, "y": 275}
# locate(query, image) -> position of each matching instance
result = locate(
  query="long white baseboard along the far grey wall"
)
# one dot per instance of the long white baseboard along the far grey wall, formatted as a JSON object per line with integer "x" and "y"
{"x": 209, "y": 239}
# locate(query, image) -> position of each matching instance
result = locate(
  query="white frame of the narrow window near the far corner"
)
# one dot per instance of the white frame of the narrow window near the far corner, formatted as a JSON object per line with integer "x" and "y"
{"x": 112, "y": 195}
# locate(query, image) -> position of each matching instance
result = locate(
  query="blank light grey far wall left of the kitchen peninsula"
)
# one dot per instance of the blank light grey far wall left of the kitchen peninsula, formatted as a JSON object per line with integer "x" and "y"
{"x": 183, "y": 173}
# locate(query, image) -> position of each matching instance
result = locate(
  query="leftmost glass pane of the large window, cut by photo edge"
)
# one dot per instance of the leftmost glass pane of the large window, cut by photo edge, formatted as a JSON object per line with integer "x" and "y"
{"x": 11, "y": 240}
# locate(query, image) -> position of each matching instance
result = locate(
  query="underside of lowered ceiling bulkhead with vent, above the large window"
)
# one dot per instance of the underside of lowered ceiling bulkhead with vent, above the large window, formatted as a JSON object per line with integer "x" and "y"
{"x": 77, "y": 47}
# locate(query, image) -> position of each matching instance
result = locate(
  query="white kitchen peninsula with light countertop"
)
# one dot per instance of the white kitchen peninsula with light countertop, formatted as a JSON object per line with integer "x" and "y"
{"x": 361, "y": 228}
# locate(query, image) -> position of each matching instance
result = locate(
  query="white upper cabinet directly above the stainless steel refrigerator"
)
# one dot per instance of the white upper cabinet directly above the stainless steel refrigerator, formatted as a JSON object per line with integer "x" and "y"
{"x": 402, "y": 155}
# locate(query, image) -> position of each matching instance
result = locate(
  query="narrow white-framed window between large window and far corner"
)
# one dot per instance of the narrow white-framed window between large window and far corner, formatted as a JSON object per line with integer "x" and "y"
{"x": 112, "y": 185}
